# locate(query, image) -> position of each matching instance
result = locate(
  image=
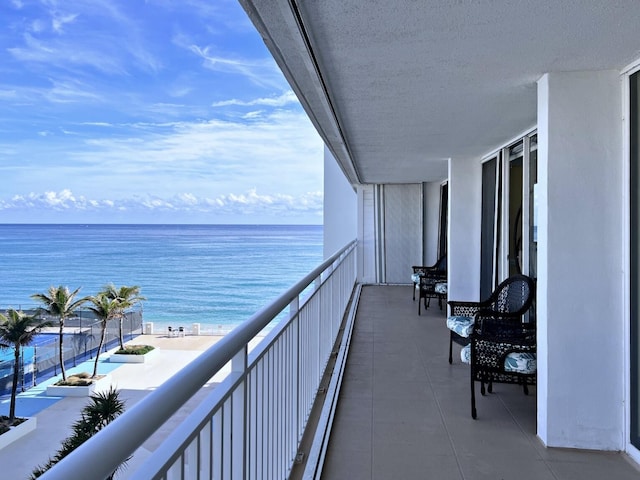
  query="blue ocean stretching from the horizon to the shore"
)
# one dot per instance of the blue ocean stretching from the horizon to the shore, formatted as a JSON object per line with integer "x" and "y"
{"x": 215, "y": 275}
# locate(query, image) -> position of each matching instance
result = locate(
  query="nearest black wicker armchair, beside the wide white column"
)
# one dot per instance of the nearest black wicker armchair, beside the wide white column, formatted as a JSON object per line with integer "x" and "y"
{"x": 502, "y": 349}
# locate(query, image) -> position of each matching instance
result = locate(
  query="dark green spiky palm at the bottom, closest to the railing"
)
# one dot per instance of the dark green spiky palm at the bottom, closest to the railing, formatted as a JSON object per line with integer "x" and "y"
{"x": 103, "y": 408}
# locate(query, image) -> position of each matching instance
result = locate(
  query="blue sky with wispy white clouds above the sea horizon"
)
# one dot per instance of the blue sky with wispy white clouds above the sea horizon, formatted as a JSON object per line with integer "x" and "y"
{"x": 156, "y": 111}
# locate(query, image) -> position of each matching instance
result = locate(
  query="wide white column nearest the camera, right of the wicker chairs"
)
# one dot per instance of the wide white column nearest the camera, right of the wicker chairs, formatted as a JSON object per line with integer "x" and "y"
{"x": 580, "y": 315}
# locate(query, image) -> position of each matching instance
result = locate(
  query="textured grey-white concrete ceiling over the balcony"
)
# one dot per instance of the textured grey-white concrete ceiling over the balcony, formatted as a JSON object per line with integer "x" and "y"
{"x": 395, "y": 88}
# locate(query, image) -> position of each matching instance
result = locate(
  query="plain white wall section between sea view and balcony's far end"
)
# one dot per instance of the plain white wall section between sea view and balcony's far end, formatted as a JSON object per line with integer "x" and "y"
{"x": 340, "y": 207}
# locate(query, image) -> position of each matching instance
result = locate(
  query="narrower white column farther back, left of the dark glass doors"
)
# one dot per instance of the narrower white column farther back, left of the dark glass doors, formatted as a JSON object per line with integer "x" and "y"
{"x": 465, "y": 200}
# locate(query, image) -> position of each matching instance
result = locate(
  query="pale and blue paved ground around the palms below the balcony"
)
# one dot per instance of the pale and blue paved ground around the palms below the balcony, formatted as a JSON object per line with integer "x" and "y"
{"x": 135, "y": 381}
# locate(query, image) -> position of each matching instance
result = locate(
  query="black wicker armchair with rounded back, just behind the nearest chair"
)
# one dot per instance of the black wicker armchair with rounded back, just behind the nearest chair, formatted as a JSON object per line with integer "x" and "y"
{"x": 513, "y": 296}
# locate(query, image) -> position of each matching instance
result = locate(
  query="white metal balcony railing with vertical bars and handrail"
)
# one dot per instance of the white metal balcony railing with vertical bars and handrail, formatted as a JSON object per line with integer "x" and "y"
{"x": 249, "y": 427}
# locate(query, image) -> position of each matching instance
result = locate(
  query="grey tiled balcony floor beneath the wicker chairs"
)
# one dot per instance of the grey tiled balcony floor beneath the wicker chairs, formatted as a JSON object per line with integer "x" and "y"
{"x": 404, "y": 412}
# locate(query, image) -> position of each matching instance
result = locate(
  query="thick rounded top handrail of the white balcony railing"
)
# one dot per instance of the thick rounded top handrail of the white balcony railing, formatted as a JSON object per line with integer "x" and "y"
{"x": 121, "y": 440}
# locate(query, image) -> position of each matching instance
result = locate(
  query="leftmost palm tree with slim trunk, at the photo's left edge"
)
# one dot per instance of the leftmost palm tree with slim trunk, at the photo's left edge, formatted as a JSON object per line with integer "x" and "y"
{"x": 17, "y": 330}
